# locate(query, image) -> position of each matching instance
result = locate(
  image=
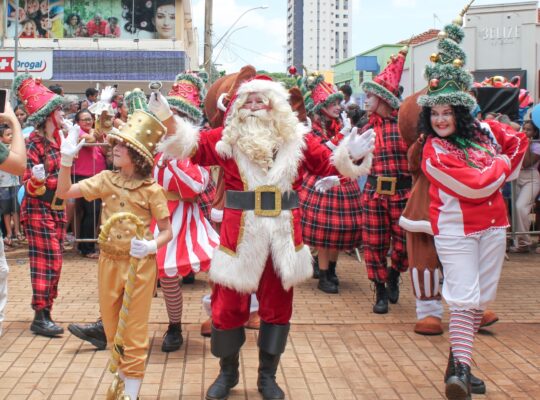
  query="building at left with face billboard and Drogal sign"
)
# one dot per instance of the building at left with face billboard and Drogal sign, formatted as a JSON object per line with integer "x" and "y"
{"x": 133, "y": 48}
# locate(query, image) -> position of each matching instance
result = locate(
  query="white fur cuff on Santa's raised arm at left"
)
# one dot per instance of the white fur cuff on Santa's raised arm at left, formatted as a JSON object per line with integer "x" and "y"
{"x": 182, "y": 143}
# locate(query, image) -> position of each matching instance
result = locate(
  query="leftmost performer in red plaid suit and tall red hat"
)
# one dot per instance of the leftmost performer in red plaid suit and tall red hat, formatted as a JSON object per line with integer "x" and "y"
{"x": 42, "y": 213}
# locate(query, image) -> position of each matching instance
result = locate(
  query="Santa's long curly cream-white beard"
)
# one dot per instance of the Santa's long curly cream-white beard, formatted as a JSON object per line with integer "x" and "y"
{"x": 257, "y": 137}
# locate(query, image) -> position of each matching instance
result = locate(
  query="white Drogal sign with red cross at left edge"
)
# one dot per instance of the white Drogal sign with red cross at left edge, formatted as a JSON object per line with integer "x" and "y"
{"x": 37, "y": 63}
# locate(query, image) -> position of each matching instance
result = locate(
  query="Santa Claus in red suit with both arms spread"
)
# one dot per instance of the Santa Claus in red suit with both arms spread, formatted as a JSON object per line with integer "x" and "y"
{"x": 264, "y": 151}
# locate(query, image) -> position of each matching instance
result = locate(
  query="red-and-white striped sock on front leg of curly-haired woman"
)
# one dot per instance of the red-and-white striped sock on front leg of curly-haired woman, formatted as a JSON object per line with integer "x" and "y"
{"x": 462, "y": 334}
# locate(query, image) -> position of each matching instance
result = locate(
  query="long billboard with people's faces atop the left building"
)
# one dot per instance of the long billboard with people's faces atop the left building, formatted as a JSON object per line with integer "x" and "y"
{"x": 124, "y": 19}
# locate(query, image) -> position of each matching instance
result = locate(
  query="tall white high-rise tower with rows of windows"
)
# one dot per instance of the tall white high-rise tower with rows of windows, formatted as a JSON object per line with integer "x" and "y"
{"x": 318, "y": 33}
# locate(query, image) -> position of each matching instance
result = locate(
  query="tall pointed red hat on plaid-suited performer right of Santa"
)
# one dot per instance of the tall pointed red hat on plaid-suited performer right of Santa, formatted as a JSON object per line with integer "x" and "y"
{"x": 386, "y": 84}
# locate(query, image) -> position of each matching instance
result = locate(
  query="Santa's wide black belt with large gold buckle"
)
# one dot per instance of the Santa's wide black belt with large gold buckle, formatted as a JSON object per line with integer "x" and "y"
{"x": 267, "y": 201}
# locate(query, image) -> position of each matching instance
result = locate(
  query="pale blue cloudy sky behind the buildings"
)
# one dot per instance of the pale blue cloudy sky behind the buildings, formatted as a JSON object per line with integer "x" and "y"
{"x": 259, "y": 37}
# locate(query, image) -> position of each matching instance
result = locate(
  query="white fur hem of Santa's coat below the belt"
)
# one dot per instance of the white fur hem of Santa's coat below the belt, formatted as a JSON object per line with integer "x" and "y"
{"x": 263, "y": 237}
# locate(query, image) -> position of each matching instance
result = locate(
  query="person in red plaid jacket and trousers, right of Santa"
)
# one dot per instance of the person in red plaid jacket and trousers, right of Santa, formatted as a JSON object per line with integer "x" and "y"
{"x": 387, "y": 189}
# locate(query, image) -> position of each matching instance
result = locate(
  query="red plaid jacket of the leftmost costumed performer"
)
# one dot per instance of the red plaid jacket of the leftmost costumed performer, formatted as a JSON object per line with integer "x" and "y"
{"x": 40, "y": 150}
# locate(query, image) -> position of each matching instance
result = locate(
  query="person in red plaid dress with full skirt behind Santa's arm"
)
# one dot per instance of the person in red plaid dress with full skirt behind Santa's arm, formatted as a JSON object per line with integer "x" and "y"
{"x": 331, "y": 206}
